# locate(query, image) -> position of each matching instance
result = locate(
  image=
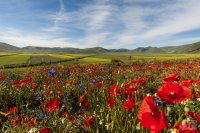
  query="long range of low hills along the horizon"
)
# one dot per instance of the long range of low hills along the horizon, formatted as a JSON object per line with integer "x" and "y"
{"x": 189, "y": 48}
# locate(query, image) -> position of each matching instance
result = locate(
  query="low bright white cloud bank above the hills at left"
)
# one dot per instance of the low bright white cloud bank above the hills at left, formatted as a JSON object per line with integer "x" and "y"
{"x": 18, "y": 38}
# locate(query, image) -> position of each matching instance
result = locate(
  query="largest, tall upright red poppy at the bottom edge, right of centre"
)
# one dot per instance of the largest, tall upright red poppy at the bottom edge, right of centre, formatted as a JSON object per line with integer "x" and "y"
{"x": 150, "y": 117}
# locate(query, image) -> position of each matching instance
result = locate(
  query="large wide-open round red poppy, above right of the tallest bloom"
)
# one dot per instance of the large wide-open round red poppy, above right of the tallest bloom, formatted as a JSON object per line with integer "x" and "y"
{"x": 173, "y": 92}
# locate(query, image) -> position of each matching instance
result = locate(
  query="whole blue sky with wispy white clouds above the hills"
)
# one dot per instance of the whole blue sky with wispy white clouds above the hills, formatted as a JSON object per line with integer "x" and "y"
{"x": 105, "y": 23}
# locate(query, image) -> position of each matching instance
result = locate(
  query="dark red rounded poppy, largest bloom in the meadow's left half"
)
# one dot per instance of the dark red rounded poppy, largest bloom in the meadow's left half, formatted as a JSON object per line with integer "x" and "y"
{"x": 53, "y": 104}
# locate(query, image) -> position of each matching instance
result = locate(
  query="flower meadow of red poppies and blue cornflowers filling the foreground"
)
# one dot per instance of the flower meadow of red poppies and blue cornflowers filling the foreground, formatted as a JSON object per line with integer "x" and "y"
{"x": 143, "y": 96}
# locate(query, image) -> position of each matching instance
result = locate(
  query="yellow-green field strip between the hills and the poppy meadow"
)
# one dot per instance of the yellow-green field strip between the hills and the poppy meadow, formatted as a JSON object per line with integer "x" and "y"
{"x": 9, "y": 58}
